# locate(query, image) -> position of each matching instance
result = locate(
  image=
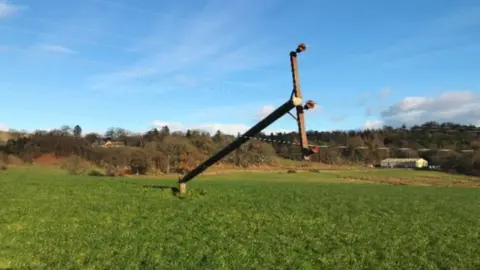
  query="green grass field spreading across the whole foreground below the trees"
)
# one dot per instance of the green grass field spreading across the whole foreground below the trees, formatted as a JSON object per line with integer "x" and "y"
{"x": 50, "y": 220}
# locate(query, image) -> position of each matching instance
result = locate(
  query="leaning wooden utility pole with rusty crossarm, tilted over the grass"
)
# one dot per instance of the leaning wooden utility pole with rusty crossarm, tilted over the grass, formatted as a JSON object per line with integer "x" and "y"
{"x": 295, "y": 101}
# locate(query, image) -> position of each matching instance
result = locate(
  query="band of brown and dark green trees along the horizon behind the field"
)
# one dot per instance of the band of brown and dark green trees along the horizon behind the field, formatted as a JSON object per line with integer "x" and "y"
{"x": 453, "y": 147}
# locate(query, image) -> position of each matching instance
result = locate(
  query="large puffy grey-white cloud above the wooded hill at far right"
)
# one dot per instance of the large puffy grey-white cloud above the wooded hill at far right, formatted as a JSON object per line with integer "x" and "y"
{"x": 460, "y": 107}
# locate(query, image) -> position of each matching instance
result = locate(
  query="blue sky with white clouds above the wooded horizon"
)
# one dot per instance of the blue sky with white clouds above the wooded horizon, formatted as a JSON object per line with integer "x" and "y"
{"x": 224, "y": 64}
